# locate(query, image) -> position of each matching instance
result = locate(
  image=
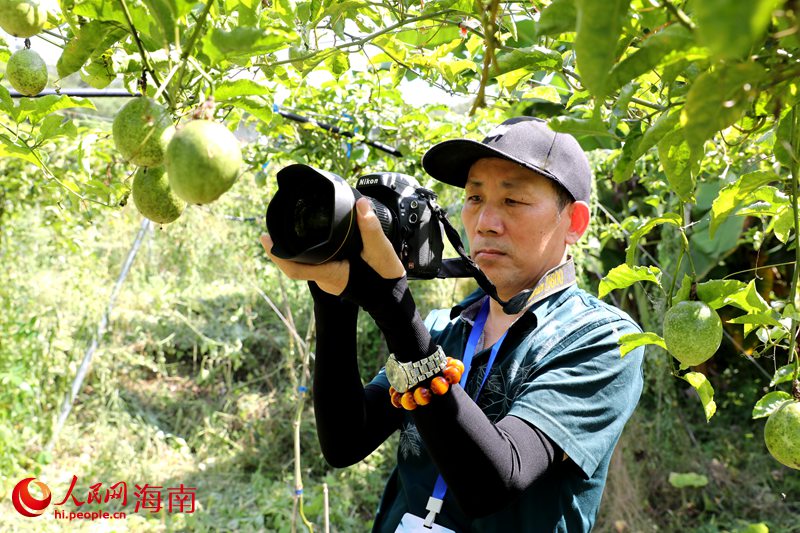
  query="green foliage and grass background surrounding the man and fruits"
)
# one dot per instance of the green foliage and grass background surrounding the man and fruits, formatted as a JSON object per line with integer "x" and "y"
{"x": 687, "y": 109}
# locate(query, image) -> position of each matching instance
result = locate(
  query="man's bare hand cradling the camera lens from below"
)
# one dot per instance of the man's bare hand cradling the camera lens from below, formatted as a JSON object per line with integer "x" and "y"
{"x": 332, "y": 277}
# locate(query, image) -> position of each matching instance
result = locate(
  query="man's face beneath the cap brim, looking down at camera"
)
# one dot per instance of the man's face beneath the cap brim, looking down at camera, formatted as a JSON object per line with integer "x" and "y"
{"x": 511, "y": 217}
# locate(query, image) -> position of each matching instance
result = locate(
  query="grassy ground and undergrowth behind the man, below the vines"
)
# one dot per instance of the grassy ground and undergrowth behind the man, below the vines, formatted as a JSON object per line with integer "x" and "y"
{"x": 195, "y": 383}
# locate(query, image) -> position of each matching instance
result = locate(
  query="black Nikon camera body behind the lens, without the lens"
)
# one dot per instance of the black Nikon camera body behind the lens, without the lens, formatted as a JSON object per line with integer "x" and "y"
{"x": 418, "y": 238}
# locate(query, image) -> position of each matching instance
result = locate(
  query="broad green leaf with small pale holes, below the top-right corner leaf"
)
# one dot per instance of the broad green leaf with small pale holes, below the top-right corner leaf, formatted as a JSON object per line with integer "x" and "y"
{"x": 717, "y": 99}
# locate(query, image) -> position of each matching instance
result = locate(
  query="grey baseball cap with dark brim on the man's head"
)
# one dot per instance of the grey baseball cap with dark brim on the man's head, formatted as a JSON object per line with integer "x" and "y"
{"x": 526, "y": 141}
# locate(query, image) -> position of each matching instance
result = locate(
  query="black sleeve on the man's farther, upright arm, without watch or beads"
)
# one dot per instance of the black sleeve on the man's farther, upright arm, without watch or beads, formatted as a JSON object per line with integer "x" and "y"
{"x": 351, "y": 420}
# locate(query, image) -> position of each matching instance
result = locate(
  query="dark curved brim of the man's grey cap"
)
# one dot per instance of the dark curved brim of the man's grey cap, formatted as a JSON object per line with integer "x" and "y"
{"x": 450, "y": 161}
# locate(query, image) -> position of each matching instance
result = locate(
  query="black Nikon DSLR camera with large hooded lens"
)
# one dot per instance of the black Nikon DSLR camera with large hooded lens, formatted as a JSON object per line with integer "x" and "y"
{"x": 312, "y": 218}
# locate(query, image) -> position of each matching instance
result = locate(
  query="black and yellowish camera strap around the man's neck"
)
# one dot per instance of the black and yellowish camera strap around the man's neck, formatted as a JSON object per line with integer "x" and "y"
{"x": 465, "y": 267}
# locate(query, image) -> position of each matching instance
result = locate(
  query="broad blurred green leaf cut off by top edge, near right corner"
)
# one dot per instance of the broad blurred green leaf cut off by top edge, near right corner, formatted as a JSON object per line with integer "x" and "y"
{"x": 730, "y": 28}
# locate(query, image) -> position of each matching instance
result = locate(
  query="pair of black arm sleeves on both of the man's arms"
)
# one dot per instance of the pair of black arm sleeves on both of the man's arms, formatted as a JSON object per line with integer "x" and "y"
{"x": 504, "y": 458}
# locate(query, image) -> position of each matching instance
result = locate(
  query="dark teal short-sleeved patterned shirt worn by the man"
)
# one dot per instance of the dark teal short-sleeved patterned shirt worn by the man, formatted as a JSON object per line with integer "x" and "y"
{"x": 559, "y": 369}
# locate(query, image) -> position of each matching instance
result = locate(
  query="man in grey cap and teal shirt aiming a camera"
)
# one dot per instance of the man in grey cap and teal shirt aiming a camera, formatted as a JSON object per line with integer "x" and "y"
{"x": 525, "y": 444}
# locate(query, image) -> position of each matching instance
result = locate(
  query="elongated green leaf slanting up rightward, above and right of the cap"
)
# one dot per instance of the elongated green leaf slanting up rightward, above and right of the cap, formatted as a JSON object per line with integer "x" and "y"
{"x": 656, "y": 49}
